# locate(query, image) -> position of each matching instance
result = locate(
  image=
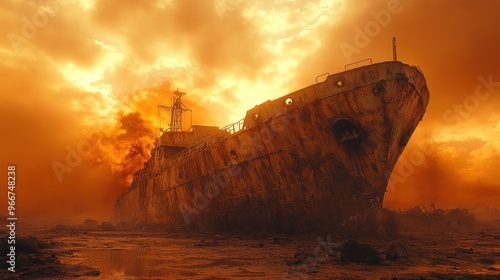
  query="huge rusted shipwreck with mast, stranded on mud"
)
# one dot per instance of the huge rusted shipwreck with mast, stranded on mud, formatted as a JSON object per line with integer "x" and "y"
{"x": 315, "y": 159}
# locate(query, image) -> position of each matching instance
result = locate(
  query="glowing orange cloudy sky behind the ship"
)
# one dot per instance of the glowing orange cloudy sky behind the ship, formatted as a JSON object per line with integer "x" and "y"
{"x": 80, "y": 81}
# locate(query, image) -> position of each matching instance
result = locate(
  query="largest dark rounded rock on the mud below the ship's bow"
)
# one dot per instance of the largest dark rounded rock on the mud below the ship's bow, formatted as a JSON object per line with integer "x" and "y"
{"x": 352, "y": 251}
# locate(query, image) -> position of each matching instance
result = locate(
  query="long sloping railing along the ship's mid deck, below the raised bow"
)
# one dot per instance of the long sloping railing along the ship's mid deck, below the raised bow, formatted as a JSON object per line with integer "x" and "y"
{"x": 207, "y": 141}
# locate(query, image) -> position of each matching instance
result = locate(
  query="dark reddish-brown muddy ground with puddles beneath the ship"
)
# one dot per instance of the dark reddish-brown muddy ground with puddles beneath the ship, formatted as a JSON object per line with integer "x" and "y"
{"x": 437, "y": 245}
